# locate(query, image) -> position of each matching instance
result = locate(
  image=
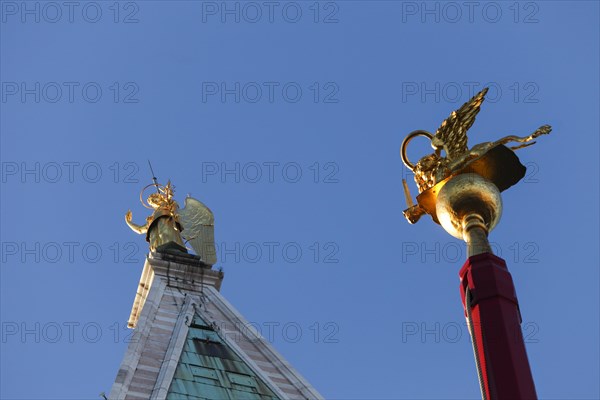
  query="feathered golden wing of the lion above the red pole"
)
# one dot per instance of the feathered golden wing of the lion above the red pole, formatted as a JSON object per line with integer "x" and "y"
{"x": 453, "y": 131}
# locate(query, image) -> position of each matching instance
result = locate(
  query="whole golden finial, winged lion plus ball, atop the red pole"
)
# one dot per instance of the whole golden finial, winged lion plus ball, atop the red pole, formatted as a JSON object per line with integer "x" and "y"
{"x": 463, "y": 187}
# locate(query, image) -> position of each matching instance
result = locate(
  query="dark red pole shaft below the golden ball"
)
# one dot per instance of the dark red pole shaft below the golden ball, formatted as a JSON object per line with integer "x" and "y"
{"x": 495, "y": 322}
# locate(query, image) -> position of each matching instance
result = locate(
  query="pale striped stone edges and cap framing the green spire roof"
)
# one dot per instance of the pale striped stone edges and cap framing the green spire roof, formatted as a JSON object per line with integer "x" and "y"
{"x": 172, "y": 290}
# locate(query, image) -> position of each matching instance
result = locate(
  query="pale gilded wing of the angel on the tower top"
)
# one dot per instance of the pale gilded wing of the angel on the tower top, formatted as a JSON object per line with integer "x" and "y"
{"x": 199, "y": 229}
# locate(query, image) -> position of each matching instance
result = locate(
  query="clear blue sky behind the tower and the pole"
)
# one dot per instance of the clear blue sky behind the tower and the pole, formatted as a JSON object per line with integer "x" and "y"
{"x": 286, "y": 119}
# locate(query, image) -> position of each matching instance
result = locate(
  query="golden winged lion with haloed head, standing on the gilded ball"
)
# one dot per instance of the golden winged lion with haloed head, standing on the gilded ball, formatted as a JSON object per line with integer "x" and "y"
{"x": 492, "y": 160}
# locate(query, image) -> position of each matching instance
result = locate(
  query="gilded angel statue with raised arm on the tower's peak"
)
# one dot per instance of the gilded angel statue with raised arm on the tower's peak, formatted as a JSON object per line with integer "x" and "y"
{"x": 169, "y": 227}
